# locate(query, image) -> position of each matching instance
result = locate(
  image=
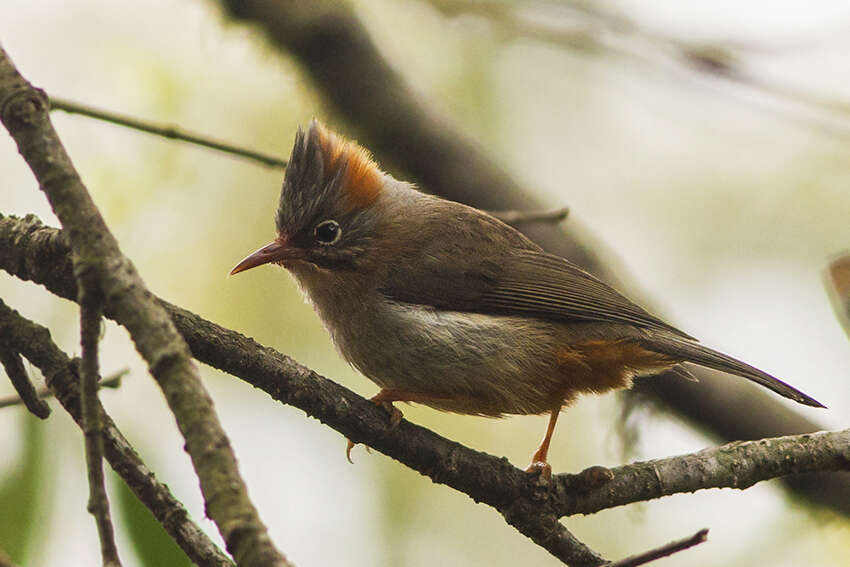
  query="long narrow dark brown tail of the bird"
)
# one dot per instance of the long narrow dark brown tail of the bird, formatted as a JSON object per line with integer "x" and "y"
{"x": 696, "y": 353}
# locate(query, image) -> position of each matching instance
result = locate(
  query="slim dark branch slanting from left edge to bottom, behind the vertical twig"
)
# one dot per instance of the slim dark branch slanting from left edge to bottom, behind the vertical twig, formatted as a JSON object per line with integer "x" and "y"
{"x": 62, "y": 374}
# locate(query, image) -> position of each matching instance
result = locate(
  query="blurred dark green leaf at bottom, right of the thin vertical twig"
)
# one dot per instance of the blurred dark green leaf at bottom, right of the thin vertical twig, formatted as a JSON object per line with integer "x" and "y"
{"x": 153, "y": 546}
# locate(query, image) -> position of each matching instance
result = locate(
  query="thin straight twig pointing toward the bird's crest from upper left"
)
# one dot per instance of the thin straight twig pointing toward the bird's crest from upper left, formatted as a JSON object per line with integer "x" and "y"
{"x": 171, "y": 132}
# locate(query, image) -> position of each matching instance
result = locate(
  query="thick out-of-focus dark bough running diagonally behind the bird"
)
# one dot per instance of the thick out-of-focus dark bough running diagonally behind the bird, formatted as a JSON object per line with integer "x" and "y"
{"x": 336, "y": 52}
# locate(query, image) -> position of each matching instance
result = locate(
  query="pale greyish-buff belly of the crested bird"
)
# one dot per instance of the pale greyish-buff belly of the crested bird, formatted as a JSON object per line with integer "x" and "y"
{"x": 462, "y": 362}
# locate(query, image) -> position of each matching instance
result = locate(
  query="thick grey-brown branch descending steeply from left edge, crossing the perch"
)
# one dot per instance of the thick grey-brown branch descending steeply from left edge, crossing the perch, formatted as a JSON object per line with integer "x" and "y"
{"x": 24, "y": 113}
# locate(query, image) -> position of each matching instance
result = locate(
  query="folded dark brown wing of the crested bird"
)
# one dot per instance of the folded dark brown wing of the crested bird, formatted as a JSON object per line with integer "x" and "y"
{"x": 520, "y": 282}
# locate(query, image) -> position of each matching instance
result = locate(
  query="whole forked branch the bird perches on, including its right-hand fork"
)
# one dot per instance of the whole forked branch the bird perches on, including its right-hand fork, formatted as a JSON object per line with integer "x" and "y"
{"x": 30, "y": 251}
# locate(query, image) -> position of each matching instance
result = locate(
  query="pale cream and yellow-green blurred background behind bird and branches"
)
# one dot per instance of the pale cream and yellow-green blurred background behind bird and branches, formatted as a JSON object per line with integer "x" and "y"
{"x": 718, "y": 181}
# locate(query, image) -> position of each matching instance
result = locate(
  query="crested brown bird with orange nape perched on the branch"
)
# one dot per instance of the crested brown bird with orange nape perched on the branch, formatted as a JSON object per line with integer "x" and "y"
{"x": 442, "y": 304}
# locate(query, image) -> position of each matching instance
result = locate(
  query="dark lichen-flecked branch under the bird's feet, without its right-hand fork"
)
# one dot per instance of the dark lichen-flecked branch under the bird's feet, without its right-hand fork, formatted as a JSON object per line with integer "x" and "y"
{"x": 483, "y": 477}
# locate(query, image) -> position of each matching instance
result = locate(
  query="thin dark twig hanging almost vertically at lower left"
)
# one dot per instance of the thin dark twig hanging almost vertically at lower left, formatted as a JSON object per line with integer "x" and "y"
{"x": 90, "y": 408}
